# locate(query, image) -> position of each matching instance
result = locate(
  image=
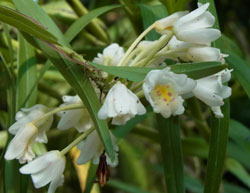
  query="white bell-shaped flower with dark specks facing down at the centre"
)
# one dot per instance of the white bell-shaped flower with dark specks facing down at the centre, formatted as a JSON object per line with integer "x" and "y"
{"x": 120, "y": 104}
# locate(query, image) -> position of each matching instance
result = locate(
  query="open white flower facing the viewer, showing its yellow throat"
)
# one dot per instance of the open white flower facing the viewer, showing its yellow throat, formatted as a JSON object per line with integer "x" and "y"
{"x": 163, "y": 90}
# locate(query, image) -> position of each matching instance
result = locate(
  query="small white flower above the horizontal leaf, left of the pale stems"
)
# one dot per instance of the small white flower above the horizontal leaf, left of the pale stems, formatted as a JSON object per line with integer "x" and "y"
{"x": 111, "y": 55}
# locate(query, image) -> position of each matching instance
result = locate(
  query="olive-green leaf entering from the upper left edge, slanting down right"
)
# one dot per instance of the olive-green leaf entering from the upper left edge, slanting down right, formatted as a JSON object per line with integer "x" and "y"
{"x": 25, "y": 23}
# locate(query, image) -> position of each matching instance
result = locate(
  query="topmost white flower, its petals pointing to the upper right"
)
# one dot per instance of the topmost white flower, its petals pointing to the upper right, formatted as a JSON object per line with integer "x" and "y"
{"x": 195, "y": 27}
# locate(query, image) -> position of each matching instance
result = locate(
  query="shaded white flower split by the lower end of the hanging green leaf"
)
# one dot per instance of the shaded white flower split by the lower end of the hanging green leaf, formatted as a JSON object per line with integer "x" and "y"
{"x": 92, "y": 148}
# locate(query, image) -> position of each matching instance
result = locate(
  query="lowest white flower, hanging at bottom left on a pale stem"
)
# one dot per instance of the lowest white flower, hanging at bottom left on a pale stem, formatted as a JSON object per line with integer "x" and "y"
{"x": 45, "y": 169}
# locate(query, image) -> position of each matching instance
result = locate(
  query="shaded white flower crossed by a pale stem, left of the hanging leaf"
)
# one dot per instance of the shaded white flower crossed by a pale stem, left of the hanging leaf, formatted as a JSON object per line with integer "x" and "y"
{"x": 76, "y": 118}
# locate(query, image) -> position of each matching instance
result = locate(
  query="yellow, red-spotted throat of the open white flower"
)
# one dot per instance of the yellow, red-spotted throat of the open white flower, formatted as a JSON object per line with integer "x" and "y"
{"x": 164, "y": 93}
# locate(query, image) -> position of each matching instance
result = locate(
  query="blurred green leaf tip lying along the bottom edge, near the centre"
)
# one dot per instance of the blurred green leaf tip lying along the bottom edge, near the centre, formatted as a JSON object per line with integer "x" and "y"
{"x": 125, "y": 187}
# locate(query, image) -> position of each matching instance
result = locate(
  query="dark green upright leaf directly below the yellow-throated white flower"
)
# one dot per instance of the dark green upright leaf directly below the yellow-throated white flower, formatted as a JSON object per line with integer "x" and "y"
{"x": 169, "y": 131}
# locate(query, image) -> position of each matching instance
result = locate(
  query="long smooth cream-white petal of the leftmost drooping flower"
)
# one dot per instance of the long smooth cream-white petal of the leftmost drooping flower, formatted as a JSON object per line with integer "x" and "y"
{"x": 19, "y": 144}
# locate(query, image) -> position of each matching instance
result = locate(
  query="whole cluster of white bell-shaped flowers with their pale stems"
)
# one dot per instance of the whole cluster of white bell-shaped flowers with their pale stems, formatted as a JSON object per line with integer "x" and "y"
{"x": 185, "y": 37}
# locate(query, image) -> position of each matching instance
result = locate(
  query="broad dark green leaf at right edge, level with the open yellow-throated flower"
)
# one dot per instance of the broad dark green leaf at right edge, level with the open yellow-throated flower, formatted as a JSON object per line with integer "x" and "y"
{"x": 241, "y": 70}
